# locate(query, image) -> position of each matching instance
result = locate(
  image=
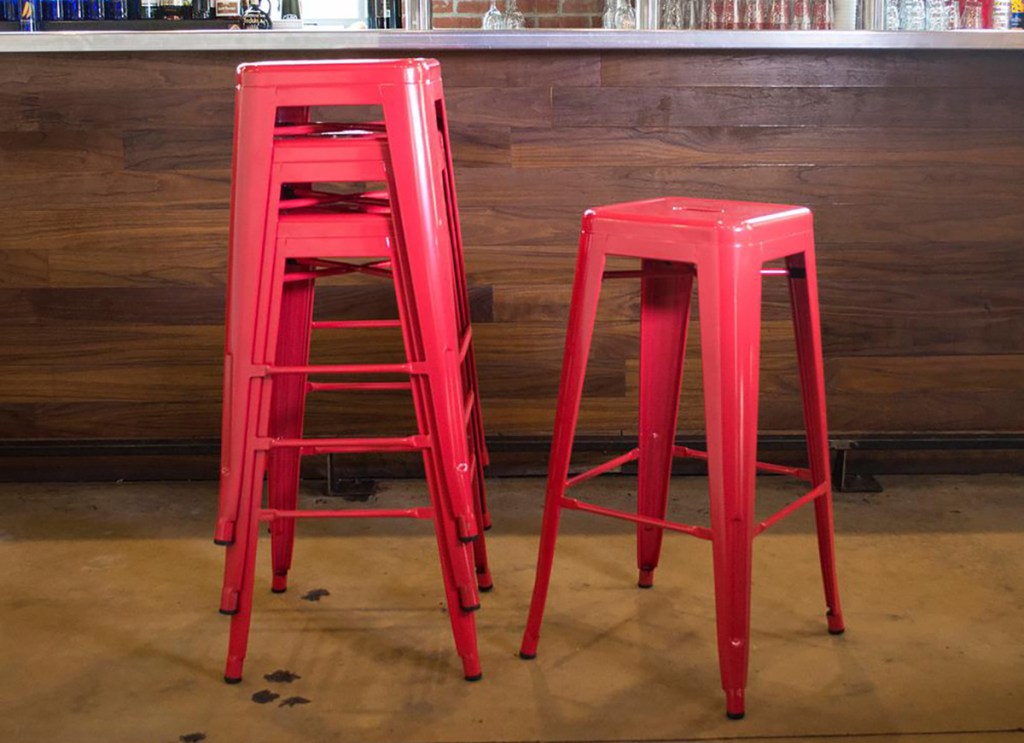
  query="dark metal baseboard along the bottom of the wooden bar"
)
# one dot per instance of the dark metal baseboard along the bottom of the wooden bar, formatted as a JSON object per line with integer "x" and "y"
{"x": 857, "y": 458}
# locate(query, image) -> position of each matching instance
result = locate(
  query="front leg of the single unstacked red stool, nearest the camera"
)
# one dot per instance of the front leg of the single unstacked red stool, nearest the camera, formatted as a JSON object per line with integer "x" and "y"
{"x": 731, "y": 332}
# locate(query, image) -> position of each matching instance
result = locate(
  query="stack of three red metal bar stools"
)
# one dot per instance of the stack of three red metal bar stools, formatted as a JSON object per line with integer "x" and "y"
{"x": 305, "y": 207}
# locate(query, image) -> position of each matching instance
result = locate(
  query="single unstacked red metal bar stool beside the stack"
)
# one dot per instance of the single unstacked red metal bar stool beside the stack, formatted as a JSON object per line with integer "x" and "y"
{"x": 726, "y": 246}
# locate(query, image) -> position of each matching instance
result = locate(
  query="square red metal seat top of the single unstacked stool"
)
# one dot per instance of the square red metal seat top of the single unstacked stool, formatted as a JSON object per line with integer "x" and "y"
{"x": 697, "y": 212}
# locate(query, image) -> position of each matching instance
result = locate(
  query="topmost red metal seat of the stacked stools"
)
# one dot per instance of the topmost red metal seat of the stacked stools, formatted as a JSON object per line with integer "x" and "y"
{"x": 338, "y": 72}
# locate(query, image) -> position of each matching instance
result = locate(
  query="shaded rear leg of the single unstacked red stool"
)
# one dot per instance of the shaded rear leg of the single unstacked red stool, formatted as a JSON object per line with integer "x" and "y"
{"x": 665, "y": 311}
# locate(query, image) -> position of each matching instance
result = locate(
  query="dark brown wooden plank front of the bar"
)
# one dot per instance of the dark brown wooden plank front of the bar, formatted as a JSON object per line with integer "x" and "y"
{"x": 113, "y": 247}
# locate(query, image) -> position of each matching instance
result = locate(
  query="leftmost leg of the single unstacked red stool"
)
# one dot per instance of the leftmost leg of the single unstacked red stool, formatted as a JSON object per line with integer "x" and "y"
{"x": 583, "y": 311}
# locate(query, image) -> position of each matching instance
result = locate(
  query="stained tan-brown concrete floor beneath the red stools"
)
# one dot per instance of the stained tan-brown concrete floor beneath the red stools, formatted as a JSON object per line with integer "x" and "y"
{"x": 110, "y": 631}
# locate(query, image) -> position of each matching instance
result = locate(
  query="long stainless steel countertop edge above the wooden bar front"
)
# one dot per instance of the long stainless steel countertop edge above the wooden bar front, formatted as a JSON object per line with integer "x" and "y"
{"x": 538, "y": 40}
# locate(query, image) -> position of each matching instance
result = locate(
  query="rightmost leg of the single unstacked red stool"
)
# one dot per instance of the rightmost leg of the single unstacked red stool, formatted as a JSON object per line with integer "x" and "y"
{"x": 804, "y": 300}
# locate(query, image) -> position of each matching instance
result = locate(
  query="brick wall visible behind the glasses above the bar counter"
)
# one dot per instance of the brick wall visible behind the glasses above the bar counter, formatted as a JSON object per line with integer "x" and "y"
{"x": 540, "y": 14}
